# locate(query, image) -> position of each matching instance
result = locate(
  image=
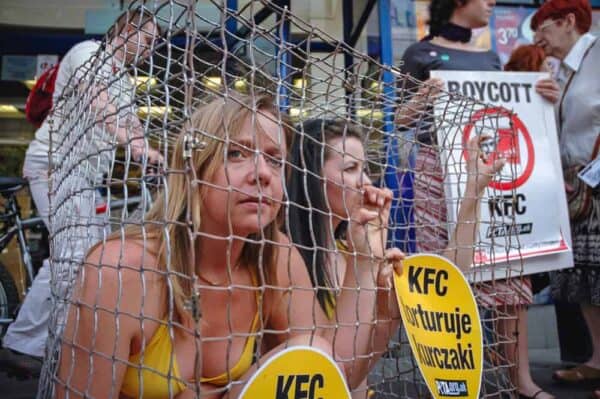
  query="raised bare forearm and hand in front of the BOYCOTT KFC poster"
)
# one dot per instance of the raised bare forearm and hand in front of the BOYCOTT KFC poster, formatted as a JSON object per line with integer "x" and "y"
{"x": 461, "y": 247}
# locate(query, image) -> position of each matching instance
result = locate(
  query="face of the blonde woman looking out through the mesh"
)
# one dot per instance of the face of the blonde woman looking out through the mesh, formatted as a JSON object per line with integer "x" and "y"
{"x": 245, "y": 193}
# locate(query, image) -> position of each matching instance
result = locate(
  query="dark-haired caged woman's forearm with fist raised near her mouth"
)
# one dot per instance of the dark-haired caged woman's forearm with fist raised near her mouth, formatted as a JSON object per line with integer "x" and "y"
{"x": 366, "y": 311}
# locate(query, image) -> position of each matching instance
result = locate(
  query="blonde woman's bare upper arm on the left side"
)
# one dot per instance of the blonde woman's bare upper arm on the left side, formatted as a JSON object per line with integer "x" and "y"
{"x": 102, "y": 321}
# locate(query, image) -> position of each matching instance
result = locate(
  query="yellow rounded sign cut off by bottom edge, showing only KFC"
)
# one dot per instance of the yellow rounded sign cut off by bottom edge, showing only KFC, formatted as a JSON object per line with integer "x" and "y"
{"x": 297, "y": 372}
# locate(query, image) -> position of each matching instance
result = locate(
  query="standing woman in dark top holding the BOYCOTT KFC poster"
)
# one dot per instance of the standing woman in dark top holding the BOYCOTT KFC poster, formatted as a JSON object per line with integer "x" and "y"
{"x": 448, "y": 46}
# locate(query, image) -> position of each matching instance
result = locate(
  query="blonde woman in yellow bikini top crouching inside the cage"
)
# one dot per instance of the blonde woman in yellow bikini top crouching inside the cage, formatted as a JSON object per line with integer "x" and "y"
{"x": 180, "y": 305}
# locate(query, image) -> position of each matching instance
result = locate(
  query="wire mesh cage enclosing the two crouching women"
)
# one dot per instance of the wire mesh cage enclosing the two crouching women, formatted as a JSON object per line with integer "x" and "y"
{"x": 219, "y": 129}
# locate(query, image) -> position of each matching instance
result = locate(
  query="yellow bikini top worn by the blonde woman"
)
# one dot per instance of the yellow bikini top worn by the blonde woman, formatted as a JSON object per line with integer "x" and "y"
{"x": 158, "y": 375}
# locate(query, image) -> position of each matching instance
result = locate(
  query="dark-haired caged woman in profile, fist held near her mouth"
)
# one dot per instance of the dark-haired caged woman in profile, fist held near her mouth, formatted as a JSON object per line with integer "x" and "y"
{"x": 331, "y": 198}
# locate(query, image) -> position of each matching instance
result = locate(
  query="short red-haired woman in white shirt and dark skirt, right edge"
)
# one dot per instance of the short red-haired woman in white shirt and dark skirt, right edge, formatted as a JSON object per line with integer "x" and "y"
{"x": 561, "y": 28}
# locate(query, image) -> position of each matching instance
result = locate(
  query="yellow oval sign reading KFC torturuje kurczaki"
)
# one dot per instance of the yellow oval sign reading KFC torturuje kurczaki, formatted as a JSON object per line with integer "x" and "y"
{"x": 443, "y": 325}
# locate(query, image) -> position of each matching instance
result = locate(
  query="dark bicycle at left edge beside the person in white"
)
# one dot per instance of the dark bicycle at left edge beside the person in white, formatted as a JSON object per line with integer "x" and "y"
{"x": 32, "y": 239}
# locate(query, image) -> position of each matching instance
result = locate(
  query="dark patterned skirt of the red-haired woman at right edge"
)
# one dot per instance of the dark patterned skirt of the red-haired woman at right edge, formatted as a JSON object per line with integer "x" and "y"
{"x": 581, "y": 284}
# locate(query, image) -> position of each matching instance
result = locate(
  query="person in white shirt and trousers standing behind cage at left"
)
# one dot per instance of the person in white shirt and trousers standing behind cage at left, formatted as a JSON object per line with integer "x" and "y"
{"x": 129, "y": 41}
